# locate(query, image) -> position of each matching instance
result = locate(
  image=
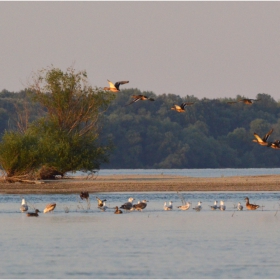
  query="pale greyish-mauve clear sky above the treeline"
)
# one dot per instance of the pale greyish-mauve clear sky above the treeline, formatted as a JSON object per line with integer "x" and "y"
{"x": 205, "y": 49}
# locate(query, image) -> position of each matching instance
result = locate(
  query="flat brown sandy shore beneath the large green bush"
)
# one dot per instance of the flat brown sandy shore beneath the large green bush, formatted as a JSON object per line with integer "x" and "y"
{"x": 145, "y": 183}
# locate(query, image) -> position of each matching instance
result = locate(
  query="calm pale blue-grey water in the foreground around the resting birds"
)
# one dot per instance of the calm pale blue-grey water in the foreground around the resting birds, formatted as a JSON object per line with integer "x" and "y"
{"x": 150, "y": 244}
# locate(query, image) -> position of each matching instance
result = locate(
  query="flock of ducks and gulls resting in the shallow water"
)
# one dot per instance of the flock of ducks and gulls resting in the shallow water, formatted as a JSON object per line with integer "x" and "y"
{"x": 141, "y": 205}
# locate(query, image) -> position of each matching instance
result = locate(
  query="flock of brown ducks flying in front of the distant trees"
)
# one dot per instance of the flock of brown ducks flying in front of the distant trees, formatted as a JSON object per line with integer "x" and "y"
{"x": 182, "y": 108}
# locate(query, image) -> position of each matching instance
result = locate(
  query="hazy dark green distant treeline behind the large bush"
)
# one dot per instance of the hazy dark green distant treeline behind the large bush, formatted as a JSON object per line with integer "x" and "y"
{"x": 209, "y": 134}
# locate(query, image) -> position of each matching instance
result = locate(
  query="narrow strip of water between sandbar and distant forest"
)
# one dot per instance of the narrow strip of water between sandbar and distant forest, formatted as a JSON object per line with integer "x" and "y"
{"x": 191, "y": 172}
